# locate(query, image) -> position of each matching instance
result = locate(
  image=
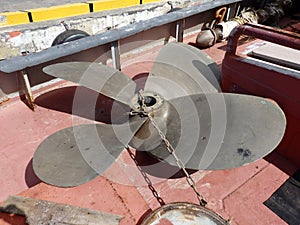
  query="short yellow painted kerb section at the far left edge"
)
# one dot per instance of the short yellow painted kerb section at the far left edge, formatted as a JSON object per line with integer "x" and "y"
{"x": 13, "y": 18}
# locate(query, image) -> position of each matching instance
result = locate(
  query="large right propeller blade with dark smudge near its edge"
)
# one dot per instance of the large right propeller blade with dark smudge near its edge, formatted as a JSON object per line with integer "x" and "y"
{"x": 222, "y": 131}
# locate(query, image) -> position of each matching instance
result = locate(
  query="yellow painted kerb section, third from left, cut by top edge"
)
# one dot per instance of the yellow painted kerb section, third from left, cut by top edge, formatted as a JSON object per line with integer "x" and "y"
{"x": 112, "y": 4}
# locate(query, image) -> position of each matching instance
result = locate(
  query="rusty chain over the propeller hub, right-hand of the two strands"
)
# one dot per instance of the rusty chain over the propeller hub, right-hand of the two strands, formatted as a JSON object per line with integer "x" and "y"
{"x": 171, "y": 150}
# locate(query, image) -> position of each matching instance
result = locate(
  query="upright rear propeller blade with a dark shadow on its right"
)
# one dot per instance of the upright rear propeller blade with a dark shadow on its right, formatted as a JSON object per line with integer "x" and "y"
{"x": 192, "y": 73}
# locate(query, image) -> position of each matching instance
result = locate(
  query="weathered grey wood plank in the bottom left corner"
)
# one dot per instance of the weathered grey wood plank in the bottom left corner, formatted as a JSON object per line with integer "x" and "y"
{"x": 44, "y": 212}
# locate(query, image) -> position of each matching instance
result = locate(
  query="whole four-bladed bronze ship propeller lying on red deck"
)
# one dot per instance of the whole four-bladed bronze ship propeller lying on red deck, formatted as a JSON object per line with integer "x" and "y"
{"x": 208, "y": 129}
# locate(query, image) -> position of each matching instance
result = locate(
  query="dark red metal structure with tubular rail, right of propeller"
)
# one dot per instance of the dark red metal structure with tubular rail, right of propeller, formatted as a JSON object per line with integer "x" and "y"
{"x": 248, "y": 75}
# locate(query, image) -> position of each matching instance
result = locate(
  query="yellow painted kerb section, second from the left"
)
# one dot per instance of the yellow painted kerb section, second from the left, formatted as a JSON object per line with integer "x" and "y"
{"x": 57, "y": 12}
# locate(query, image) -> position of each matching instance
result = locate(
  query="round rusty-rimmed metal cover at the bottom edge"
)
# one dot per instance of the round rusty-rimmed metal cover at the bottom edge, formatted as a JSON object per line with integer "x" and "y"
{"x": 182, "y": 213}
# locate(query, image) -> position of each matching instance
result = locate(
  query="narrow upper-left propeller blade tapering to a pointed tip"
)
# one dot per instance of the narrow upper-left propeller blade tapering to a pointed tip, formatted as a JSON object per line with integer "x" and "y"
{"x": 98, "y": 77}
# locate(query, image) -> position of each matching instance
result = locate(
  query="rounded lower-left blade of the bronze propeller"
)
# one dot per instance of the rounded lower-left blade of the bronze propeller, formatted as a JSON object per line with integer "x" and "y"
{"x": 78, "y": 154}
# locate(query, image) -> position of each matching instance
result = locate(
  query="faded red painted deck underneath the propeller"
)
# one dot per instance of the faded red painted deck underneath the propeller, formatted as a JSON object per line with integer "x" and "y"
{"x": 236, "y": 194}
